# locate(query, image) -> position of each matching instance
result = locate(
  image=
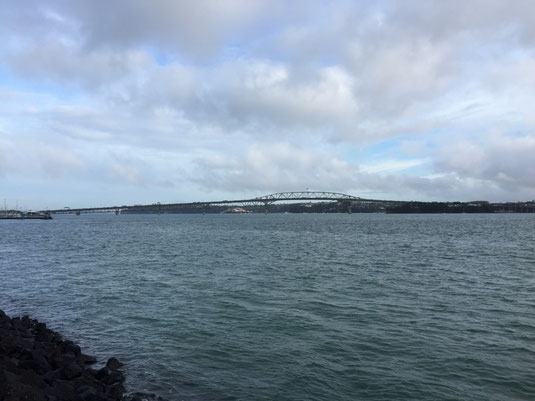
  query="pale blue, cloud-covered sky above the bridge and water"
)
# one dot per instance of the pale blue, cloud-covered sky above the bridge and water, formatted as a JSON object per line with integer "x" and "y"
{"x": 133, "y": 102}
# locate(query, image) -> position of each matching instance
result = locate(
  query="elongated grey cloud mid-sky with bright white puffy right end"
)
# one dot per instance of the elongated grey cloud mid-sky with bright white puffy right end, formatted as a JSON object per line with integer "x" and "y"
{"x": 253, "y": 96}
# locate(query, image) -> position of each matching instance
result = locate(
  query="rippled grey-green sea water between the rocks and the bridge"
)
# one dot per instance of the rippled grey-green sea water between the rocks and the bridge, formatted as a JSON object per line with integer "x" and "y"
{"x": 288, "y": 307}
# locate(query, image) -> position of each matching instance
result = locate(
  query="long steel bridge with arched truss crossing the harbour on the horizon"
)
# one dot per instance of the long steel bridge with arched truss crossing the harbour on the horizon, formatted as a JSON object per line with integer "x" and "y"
{"x": 259, "y": 201}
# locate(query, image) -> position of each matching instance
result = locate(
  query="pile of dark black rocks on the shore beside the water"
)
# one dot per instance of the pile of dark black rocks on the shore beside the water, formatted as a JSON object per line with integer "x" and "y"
{"x": 37, "y": 364}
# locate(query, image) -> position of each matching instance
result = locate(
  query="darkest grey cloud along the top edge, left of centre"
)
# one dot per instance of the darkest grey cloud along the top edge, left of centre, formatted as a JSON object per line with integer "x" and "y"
{"x": 197, "y": 28}
